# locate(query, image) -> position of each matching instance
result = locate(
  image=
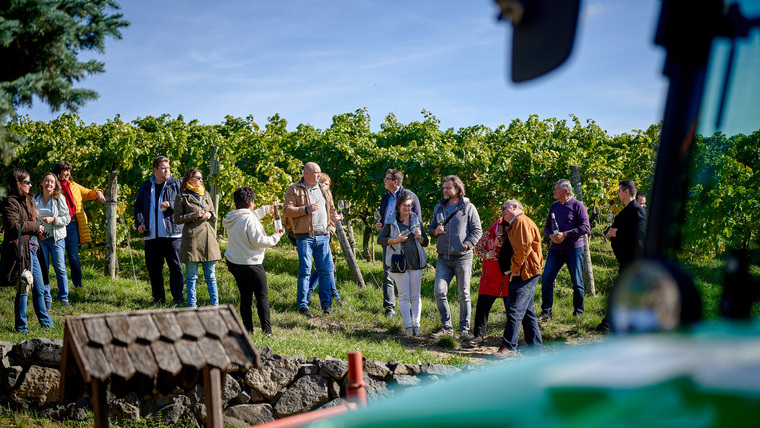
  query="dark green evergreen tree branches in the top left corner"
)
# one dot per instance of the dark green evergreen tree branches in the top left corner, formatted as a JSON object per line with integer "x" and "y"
{"x": 39, "y": 45}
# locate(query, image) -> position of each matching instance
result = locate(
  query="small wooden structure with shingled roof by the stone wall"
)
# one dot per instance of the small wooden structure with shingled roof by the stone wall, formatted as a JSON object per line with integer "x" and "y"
{"x": 152, "y": 350}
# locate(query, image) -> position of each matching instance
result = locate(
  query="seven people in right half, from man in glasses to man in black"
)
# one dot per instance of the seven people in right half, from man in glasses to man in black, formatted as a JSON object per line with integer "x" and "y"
{"x": 510, "y": 249}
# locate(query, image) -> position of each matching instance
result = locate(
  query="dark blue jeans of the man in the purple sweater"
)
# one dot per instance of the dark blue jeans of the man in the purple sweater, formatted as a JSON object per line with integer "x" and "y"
{"x": 554, "y": 261}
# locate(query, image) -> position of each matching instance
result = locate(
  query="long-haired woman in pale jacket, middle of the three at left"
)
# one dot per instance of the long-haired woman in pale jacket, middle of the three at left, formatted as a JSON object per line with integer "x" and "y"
{"x": 54, "y": 215}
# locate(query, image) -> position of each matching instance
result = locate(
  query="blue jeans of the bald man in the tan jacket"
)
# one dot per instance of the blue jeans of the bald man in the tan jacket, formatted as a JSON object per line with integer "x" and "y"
{"x": 318, "y": 248}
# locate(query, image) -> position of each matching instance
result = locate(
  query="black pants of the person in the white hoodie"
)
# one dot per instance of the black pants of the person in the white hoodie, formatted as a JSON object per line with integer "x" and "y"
{"x": 251, "y": 280}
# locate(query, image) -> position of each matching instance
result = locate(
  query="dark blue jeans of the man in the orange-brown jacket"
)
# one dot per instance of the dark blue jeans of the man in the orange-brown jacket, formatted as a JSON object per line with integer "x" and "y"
{"x": 520, "y": 311}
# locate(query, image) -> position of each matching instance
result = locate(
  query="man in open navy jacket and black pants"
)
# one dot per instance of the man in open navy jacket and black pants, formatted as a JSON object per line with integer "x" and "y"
{"x": 154, "y": 218}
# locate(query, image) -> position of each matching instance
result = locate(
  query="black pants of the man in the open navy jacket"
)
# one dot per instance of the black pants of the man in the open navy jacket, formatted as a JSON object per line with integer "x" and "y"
{"x": 156, "y": 251}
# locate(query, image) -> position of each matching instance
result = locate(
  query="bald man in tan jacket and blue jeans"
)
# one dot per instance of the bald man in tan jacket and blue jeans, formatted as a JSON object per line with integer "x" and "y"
{"x": 309, "y": 206}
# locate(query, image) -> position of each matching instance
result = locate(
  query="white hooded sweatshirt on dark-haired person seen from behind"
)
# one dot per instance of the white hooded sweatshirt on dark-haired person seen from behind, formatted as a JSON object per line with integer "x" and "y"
{"x": 247, "y": 238}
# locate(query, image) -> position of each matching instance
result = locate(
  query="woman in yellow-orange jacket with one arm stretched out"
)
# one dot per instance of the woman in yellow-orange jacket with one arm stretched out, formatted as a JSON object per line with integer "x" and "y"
{"x": 77, "y": 231}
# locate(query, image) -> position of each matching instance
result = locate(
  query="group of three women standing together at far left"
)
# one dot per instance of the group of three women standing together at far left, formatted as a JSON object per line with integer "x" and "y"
{"x": 40, "y": 228}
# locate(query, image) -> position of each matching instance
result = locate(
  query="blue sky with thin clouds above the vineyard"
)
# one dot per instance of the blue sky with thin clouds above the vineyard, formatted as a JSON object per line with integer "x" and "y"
{"x": 310, "y": 60}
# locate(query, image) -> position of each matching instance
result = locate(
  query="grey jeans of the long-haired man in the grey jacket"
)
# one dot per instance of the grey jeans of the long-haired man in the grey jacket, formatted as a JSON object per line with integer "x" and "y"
{"x": 445, "y": 270}
